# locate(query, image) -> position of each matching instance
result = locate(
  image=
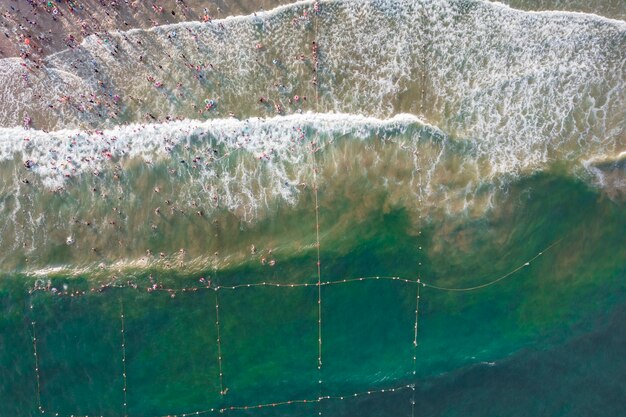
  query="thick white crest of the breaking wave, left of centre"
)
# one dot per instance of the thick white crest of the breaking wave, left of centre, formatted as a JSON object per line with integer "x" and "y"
{"x": 66, "y": 153}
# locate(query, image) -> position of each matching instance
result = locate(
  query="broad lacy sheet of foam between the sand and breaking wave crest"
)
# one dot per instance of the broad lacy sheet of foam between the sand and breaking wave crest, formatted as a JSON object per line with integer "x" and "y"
{"x": 525, "y": 88}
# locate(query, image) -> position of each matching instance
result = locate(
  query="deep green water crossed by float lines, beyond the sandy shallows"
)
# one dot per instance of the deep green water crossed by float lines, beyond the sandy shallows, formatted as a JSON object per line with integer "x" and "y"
{"x": 556, "y": 323}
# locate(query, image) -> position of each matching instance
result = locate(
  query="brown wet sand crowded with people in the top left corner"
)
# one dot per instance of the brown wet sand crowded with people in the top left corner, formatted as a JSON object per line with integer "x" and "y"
{"x": 37, "y": 29}
